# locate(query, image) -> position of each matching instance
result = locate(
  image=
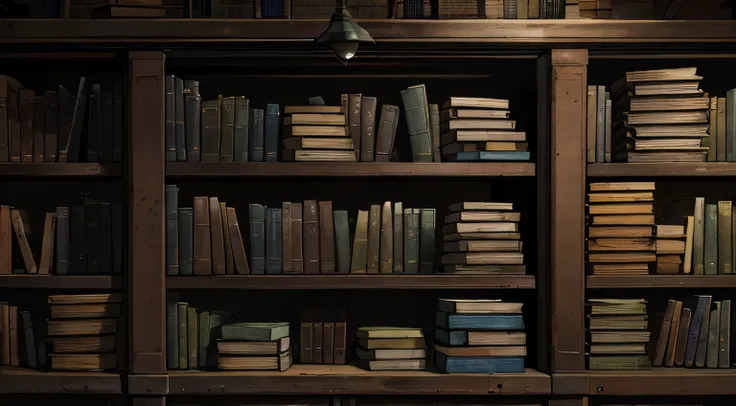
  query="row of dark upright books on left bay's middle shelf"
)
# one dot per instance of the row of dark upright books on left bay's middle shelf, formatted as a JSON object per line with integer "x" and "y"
{"x": 76, "y": 240}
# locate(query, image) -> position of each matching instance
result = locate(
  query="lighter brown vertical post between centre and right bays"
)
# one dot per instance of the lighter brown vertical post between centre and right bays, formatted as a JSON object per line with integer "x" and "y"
{"x": 569, "y": 84}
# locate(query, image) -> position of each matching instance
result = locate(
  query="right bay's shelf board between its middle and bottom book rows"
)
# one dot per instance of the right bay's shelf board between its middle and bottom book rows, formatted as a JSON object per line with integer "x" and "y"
{"x": 661, "y": 281}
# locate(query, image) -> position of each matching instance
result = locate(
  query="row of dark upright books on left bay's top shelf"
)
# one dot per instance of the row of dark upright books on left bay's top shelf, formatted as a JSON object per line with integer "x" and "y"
{"x": 60, "y": 126}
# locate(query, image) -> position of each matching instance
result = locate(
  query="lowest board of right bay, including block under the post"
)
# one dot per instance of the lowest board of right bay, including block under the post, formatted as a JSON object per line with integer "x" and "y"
{"x": 657, "y": 382}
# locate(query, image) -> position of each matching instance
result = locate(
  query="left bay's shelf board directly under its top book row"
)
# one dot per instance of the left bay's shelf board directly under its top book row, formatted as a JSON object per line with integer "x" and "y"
{"x": 60, "y": 170}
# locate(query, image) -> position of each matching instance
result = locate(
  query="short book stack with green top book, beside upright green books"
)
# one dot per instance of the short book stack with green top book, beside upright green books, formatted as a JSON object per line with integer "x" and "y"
{"x": 254, "y": 347}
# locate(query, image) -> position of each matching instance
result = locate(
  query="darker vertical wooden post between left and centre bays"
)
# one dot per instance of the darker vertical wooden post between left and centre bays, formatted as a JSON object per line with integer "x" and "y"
{"x": 146, "y": 256}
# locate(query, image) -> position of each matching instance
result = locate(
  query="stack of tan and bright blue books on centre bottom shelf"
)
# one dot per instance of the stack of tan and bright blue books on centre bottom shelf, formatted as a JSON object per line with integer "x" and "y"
{"x": 464, "y": 347}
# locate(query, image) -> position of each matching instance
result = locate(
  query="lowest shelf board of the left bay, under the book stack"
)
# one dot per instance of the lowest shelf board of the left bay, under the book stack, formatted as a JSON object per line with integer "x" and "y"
{"x": 21, "y": 380}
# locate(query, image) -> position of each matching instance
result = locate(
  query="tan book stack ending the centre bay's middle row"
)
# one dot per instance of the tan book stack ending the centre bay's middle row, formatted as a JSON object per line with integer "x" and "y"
{"x": 482, "y": 237}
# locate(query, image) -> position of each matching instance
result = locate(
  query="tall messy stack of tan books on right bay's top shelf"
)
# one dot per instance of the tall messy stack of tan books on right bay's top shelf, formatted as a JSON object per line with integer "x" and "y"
{"x": 663, "y": 116}
